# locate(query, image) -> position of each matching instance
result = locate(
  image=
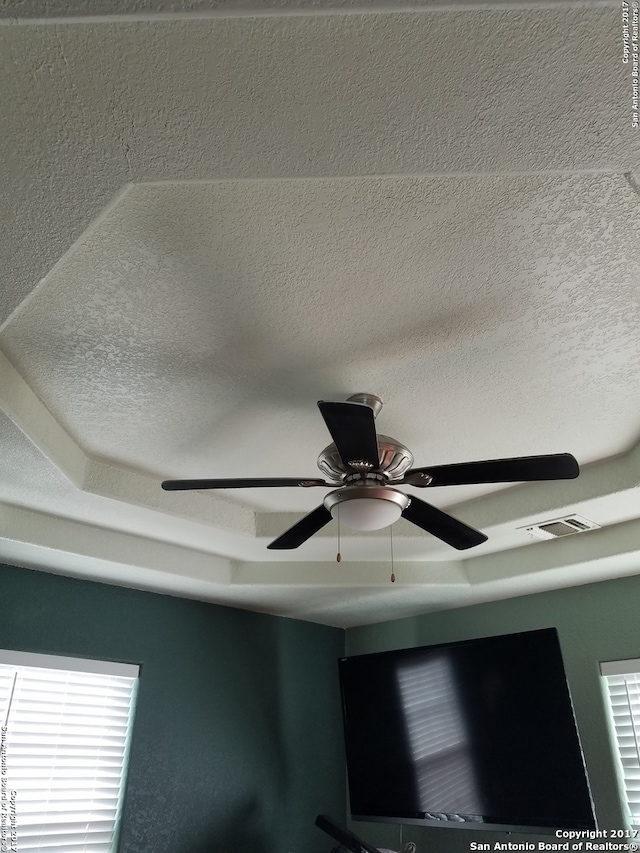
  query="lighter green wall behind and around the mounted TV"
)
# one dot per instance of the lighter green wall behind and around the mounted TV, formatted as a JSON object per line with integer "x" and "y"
{"x": 595, "y": 623}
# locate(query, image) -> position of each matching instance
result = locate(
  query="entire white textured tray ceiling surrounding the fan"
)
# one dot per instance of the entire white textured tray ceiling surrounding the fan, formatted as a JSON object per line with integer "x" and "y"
{"x": 218, "y": 213}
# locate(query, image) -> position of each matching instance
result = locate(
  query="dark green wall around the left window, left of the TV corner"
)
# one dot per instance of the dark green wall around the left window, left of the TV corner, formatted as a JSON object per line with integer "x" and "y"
{"x": 237, "y": 742}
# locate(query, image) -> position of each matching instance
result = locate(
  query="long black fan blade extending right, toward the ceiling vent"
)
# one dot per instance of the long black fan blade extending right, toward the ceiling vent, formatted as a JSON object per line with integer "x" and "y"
{"x": 555, "y": 466}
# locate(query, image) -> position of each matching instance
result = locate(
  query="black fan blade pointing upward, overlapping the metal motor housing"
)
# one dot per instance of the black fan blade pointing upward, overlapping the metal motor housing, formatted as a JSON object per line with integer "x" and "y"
{"x": 353, "y": 430}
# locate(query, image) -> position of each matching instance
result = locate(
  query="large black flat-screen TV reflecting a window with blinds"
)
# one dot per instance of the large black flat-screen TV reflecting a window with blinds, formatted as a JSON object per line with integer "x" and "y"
{"x": 474, "y": 732}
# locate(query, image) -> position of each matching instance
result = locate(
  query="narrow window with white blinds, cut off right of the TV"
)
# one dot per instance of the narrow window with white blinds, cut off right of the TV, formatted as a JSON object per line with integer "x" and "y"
{"x": 622, "y": 679}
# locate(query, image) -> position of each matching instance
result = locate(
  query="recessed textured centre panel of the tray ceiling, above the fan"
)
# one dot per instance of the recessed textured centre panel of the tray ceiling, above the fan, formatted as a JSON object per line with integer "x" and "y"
{"x": 172, "y": 337}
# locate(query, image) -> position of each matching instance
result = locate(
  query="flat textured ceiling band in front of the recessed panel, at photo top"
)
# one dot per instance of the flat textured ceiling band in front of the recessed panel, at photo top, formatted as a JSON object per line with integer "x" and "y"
{"x": 88, "y": 108}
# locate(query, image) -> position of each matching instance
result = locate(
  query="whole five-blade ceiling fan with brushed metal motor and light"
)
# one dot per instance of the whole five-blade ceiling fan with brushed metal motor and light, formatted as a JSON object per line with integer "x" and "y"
{"x": 365, "y": 466}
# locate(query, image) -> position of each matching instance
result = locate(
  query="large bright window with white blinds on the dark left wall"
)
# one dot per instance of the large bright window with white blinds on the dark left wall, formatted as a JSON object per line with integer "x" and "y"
{"x": 66, "y": 725}
